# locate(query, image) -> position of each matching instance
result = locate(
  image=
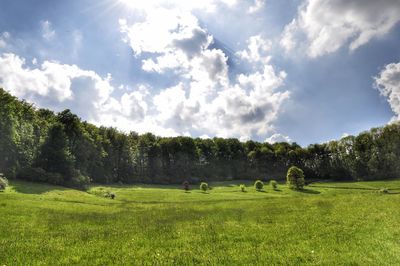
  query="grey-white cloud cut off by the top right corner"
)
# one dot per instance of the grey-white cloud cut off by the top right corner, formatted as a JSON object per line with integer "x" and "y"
{"x": 324, "y": 26}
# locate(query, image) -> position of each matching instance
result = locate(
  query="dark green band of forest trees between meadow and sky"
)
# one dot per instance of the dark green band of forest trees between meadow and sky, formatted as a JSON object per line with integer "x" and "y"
{"x": 59, "y": 148}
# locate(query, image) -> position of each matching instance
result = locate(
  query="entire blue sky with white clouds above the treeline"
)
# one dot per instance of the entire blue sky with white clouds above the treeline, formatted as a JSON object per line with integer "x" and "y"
{"x": 296, "y": 70}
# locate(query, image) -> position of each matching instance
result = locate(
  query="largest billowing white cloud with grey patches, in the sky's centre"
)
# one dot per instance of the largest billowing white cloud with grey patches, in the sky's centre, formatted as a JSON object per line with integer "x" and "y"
{"x": 206, "y": 101}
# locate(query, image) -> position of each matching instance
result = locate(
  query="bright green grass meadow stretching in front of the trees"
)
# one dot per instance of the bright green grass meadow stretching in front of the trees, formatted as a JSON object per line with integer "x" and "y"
{"x": 327, "y": 224}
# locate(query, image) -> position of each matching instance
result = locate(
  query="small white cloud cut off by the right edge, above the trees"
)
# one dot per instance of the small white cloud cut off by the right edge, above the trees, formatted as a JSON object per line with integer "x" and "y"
{"x": 388, "y": 83}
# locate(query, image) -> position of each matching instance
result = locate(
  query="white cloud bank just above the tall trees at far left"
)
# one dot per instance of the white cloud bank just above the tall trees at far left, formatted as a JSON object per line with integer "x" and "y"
{"x": 54, "y": 85}
